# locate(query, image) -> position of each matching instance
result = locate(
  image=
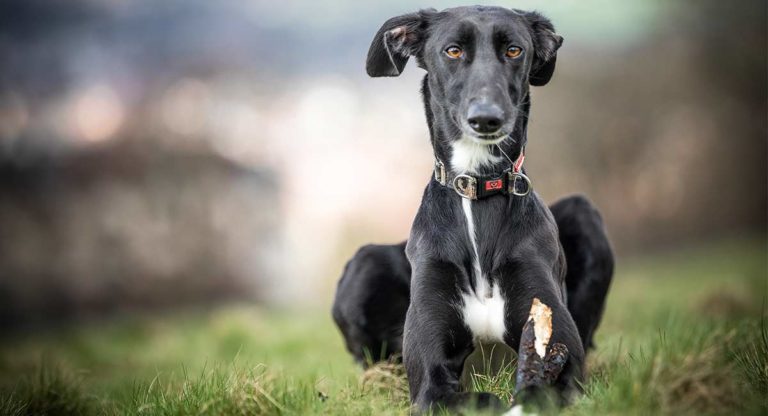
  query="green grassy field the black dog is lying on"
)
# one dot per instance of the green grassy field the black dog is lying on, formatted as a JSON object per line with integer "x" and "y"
{"x": 684, "y": 332}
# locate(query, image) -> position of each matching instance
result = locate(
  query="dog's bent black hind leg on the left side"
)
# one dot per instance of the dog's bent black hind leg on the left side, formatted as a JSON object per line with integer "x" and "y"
{"x": 371, "y": 301}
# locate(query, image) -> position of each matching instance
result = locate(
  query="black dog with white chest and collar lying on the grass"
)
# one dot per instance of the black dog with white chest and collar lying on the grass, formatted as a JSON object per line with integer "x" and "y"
{"x": 482, "y": 245}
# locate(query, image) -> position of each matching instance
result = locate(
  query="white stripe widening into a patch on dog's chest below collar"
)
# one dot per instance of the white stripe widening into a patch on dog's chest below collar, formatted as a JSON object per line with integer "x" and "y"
{"x": 483, "y": 310}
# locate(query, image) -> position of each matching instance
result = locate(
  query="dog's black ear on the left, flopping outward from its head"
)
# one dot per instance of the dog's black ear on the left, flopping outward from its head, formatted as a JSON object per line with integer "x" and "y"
{"x": 396, "y": 41}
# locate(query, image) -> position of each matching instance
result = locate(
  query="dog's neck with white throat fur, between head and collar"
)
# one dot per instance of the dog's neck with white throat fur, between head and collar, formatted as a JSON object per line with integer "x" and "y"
{"x": 461, "y": 154}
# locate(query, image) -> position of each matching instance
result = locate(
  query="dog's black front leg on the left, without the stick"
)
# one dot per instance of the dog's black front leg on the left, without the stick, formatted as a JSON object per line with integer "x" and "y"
{"x": 436, "y": 341}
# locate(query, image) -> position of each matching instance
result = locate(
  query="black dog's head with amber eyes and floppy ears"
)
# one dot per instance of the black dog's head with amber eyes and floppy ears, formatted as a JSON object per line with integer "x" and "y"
{"x": 480, "y": 62}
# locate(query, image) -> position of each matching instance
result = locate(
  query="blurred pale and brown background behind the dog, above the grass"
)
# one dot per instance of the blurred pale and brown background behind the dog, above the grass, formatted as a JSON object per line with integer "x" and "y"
{"x": 187, "y": 152}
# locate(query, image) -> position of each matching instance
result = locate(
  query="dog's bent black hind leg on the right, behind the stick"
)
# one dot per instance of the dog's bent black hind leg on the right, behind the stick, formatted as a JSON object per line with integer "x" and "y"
{"x": 589, "y": 262}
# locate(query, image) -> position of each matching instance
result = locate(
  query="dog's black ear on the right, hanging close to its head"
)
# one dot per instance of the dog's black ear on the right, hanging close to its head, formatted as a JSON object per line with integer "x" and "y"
{"x": 546, "y": 43}
